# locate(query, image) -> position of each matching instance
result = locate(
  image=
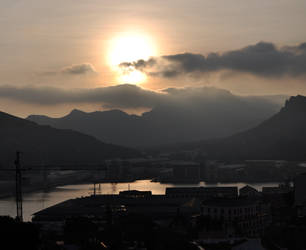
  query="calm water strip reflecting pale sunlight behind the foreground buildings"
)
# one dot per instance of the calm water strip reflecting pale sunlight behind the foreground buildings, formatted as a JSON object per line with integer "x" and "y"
{"x": 36, "y": 201}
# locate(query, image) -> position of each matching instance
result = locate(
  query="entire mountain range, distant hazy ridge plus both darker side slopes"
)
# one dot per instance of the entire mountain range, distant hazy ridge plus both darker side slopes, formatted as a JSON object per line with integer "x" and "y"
{"x": 282, "y": 136}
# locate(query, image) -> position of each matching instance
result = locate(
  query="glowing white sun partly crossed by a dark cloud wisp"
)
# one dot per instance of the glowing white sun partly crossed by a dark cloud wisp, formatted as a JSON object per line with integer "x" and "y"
{"x": 130, "y": 47}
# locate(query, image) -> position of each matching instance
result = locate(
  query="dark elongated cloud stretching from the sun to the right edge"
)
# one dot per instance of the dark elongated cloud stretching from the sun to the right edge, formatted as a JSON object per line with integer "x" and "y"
{"x": 262, "y": 59}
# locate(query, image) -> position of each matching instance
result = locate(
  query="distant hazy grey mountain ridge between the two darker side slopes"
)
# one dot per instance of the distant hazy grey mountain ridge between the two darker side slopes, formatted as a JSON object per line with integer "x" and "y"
{"x": 212, "y": 113}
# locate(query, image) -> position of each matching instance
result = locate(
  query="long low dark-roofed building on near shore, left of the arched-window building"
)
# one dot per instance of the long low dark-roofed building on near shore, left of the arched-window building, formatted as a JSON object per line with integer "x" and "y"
{"x": 127, "y": 203}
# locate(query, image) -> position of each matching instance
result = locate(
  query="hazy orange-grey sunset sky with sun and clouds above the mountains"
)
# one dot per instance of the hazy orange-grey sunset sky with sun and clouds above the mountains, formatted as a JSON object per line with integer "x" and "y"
{"x": 70, "y": 48}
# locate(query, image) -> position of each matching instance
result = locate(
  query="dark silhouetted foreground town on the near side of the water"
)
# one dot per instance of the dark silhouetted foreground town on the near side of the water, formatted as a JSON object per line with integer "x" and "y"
{"x": 182, "y": 218}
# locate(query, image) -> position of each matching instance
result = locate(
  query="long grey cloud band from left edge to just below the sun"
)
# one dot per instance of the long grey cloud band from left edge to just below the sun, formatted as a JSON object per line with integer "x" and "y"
{"x": 119, "y": 96}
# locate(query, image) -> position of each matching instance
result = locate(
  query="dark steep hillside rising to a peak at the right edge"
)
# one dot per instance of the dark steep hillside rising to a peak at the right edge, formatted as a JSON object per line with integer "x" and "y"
{"x": 283, "y": 136}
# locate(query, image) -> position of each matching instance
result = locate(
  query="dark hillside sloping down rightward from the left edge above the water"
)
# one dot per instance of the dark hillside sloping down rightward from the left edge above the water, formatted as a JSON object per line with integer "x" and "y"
{"x": 44, "y": 144}
